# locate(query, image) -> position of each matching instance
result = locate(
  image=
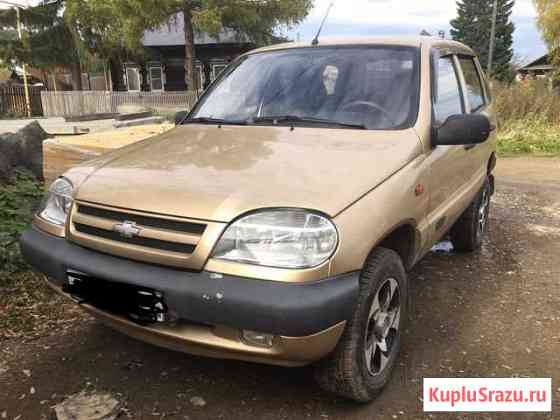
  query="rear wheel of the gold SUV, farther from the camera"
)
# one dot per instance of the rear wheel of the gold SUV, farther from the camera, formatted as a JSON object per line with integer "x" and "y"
{"x": 467, "y": 233}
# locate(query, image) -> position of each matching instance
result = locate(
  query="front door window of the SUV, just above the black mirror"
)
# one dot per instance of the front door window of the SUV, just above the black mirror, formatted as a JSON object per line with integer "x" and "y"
{"x": 447, "y": 96}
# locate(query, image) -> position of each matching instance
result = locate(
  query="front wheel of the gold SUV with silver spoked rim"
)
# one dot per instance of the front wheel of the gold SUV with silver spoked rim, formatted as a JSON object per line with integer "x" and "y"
{"x": 347, "y": 372}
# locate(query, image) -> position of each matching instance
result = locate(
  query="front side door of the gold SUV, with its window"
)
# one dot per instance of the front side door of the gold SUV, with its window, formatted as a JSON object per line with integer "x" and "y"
{"x": 449, "y": 168}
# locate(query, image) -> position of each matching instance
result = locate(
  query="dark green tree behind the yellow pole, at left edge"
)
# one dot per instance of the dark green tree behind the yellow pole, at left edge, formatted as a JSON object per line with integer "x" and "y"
{"x": 46, "y": 41}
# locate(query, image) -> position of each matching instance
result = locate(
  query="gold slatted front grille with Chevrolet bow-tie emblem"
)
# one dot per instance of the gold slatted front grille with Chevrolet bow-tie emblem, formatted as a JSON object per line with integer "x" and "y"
{"x": 162, "y": 240}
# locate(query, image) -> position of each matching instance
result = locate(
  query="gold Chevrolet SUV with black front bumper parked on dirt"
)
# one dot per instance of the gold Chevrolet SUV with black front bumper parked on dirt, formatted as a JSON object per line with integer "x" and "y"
{"x": 277, "y": 222}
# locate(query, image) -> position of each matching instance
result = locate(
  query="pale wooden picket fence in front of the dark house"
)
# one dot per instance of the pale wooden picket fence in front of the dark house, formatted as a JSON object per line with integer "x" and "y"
{"x": 66, "y": 104}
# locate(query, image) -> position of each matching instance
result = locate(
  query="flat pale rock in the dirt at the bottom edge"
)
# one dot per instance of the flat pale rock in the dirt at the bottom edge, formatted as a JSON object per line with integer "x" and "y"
{"x": 88, "y": 406}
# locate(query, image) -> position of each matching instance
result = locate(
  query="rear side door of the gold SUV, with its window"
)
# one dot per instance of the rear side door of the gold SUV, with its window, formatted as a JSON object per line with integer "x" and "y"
{"x": 477, "y": 101}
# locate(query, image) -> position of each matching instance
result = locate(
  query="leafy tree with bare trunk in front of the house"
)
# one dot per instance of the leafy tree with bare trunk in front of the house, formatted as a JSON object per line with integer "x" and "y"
{"x": 121, "y": 23}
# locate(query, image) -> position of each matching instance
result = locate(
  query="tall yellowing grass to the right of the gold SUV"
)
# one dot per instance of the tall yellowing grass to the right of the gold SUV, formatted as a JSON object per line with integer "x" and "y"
{"x": 529, "y": 116}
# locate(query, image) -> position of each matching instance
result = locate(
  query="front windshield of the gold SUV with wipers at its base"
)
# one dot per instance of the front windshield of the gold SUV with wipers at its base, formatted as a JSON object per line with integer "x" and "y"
{"x": 344, "y": 87}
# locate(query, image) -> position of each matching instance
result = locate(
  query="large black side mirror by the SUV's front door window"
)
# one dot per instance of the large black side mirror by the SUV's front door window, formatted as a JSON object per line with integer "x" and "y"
{"x": 462, "y": 129}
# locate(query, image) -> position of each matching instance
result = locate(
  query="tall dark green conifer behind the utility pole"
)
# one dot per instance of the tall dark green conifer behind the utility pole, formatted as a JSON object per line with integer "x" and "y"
{"x": 473, "y": 27}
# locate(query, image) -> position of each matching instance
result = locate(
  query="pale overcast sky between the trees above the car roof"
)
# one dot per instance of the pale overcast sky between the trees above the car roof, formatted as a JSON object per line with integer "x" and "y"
{"x": 409, "y": 17}
